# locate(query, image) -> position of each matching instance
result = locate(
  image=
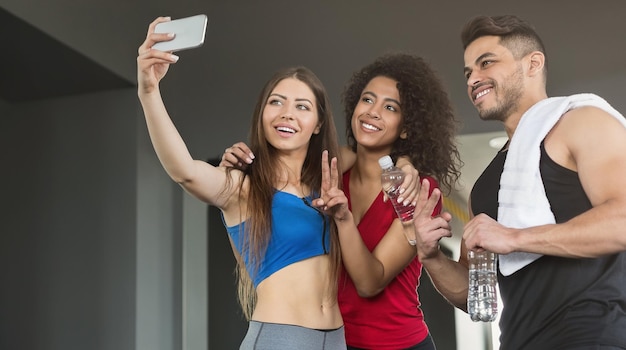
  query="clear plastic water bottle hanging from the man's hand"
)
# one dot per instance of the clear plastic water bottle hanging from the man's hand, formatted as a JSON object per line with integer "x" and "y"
{"x": 482, "y": 300}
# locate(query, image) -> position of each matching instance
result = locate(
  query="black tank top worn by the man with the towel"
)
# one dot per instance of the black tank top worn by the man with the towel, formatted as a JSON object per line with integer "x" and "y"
{"x": 557, "y": 303}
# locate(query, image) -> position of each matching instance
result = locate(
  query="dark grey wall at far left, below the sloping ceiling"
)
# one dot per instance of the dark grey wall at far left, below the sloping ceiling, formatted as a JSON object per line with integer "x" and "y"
{"x": 68, "y": 223}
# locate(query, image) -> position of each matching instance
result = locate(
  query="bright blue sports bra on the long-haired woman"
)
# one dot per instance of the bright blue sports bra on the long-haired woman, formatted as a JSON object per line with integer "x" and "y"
{"x": 299, "y": 231}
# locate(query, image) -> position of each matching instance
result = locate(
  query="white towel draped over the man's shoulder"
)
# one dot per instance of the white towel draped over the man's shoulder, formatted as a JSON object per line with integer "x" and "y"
{"x": 522, "y": 197}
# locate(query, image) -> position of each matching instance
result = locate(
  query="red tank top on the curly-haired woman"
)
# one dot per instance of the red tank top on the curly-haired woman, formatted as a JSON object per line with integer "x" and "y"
{"x": 392, "y": 319}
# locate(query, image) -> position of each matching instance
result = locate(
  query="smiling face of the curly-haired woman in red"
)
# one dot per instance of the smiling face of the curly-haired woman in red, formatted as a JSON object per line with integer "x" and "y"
{"x": 377, "y": 118}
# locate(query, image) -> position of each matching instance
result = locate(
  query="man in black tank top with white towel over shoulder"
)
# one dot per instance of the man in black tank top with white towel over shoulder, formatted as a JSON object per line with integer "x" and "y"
{"x": 557, "y": 187}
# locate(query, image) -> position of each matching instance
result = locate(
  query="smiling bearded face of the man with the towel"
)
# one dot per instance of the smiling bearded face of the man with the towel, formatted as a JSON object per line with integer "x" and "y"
{"x": 495, "y": 79}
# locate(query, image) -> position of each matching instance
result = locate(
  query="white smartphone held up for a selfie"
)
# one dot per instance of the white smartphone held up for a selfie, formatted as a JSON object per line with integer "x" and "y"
{"x": 189, "y": 33}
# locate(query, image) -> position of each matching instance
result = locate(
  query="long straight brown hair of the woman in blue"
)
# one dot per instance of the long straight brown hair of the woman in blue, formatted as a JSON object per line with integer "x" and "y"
{"x": 262, "y": 177}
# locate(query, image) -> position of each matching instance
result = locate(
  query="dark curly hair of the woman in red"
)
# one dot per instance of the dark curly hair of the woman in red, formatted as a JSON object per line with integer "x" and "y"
{"x": 427, "y": 115}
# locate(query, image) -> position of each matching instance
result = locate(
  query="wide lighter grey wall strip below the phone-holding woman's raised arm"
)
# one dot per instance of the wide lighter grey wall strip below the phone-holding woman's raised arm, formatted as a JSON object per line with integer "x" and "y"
{"x": 158, "y": 234}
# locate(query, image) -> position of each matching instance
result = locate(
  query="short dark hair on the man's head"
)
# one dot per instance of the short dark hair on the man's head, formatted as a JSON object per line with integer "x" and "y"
{"x": 515, "y": 34}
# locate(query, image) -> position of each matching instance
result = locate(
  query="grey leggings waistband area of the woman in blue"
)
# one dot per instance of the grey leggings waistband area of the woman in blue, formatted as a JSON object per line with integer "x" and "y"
{"x": 273, "y": 336}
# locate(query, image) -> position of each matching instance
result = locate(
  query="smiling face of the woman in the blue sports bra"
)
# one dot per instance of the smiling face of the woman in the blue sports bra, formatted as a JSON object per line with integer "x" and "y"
{"x": 290, "y": 116}
